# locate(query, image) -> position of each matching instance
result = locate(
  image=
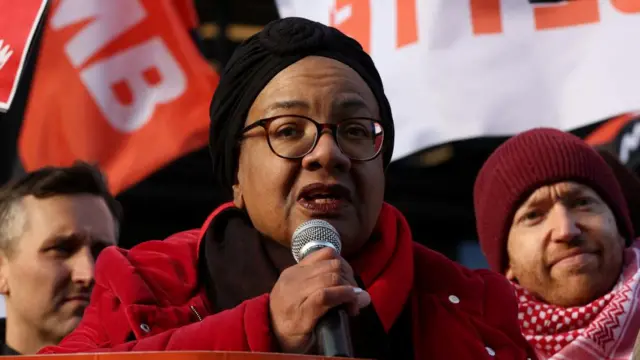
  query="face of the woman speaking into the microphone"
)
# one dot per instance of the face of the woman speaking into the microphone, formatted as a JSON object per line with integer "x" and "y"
{"x": 280, "y": 194}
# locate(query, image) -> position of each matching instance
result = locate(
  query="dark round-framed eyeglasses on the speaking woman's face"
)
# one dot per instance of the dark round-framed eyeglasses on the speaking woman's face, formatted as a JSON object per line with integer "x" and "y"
{"x": 295, "y": 136}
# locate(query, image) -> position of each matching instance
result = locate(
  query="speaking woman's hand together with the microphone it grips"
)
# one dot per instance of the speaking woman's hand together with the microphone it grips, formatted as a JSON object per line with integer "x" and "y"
{"x": 322, "y": 282}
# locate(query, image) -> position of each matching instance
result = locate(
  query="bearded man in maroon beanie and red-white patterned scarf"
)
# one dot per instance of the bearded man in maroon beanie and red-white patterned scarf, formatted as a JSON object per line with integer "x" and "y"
{"x": 552, "y": 218}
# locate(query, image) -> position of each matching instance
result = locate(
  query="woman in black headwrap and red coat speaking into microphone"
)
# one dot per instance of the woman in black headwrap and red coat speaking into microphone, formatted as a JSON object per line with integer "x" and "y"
{"x": 300, "y": 130}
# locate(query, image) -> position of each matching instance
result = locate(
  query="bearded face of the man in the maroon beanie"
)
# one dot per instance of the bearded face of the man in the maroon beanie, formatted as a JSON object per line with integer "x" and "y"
{"x": 564, "y": 245}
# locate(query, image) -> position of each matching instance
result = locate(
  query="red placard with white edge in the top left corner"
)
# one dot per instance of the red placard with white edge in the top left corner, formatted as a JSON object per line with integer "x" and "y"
{"x": 18, "y": 23}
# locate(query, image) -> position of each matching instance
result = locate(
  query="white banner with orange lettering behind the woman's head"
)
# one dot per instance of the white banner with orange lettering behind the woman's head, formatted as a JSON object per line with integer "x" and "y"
{"x": 456, "y": 69}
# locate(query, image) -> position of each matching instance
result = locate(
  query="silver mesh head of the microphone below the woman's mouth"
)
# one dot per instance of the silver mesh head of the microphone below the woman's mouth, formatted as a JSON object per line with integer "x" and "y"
{"x": 313, "y": 235}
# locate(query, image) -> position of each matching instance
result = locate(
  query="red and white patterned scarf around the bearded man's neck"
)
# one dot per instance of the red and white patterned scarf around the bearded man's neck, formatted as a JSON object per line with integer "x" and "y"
{"x": 604, "y": 329}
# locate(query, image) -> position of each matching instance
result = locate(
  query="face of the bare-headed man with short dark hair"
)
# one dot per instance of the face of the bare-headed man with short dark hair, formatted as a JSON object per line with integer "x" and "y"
{"x": 48, "y": 274}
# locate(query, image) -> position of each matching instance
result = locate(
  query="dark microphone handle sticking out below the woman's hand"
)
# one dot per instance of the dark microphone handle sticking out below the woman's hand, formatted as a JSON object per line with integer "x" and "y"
{"x": 333, "y": 335}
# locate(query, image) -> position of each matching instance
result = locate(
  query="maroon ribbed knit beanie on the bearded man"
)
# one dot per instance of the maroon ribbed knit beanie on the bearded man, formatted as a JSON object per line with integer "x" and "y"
{"x": 526, "y": 162}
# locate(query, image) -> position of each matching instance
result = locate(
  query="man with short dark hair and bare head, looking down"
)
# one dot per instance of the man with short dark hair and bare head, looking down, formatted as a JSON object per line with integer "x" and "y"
{"x": 53, "y": 224}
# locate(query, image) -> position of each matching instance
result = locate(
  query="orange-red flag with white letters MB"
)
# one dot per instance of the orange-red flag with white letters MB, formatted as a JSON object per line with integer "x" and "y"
{"x": 119, "y": 83}
